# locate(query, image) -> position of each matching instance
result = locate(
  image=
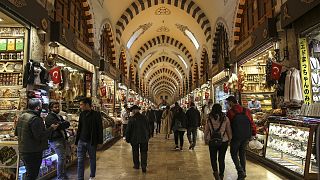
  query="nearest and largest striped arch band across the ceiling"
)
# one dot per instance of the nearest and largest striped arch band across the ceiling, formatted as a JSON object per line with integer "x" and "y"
{"x": 140, "y": 5}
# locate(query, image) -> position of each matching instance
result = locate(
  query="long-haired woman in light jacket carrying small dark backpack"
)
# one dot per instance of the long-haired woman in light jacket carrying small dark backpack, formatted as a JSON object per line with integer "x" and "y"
{"x": 217, "y": 135}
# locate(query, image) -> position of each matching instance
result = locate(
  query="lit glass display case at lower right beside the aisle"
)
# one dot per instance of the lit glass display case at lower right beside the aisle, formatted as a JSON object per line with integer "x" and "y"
{"x": 291, "y": 145}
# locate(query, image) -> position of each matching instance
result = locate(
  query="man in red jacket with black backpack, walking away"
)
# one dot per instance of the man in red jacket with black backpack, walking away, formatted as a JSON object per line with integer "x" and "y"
{"x": 243, "y": 129}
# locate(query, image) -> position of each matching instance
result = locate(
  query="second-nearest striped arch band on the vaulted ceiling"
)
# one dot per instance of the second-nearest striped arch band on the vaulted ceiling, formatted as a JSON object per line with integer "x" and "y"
{"x": 163, "y": 39}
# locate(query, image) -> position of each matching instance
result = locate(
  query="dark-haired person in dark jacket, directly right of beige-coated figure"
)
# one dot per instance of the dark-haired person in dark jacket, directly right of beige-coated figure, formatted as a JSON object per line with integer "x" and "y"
{"x": 179, "y": 127}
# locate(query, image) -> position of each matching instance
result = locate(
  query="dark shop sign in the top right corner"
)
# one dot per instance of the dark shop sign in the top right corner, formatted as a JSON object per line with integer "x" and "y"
{"x": 290, "y": 12}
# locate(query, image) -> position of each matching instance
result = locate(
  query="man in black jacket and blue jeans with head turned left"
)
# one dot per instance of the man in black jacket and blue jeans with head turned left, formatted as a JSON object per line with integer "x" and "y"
{"x": 89, "y": 135}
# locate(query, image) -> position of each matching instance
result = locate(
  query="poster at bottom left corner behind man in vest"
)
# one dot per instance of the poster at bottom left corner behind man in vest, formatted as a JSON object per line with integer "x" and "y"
{"x": 9, "y": 162}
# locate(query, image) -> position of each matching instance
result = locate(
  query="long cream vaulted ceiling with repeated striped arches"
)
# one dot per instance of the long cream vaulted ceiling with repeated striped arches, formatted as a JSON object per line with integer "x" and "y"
{"x": 162, "y": 53}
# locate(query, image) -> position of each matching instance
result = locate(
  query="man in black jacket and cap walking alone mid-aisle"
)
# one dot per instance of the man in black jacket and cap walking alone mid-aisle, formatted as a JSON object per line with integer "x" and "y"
{"x": 137, "y": 135}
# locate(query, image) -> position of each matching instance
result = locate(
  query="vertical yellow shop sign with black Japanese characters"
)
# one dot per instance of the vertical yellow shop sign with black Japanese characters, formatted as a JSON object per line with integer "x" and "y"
{"x": 305, "y": 70}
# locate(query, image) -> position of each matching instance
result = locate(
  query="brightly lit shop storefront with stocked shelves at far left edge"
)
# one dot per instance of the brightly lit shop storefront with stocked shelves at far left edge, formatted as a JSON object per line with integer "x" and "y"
{"x": 18, "y": 28}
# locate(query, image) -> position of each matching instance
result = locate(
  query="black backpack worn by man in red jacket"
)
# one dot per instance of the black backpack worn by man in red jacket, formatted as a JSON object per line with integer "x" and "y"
{"x": 241, "y": 126}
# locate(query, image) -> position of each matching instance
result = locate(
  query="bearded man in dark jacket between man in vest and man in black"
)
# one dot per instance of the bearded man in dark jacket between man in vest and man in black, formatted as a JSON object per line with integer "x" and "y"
{"x": 58, "y": 138}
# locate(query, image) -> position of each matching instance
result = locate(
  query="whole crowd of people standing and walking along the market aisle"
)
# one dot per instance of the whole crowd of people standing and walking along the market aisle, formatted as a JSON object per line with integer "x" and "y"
{"x": 235, "y": 128}
